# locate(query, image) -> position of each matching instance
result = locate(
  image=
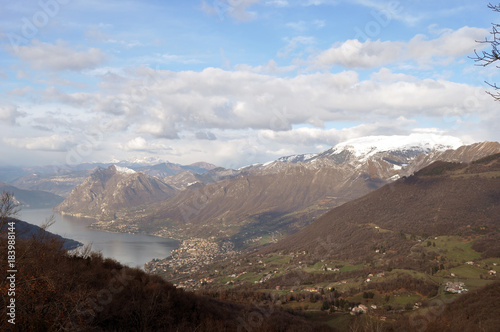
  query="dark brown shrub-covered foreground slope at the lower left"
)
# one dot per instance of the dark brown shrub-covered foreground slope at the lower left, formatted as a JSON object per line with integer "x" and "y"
{"x": 57, "y": 291}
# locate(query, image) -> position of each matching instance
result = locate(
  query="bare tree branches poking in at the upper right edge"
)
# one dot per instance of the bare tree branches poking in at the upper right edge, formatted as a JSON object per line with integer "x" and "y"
{"x": 486, "y": 58}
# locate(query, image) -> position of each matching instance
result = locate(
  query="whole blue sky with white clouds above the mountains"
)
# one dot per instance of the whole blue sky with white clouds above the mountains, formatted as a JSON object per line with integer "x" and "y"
{"x": 236, "y": 82}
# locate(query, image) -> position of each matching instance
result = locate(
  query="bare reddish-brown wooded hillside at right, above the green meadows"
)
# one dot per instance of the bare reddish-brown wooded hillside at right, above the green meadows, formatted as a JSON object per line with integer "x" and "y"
{"x": 443, "y": 199}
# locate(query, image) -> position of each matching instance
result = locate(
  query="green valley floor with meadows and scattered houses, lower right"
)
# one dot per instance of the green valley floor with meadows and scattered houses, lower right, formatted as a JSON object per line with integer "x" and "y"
{"x": 326, "y": 289}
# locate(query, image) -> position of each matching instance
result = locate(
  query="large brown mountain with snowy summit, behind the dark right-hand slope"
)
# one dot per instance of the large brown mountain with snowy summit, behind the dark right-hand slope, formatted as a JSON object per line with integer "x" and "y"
{"x": 305, "y": 186}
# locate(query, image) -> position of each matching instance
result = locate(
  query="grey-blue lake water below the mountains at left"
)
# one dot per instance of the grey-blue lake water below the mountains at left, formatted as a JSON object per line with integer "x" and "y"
{"x": 130, "y": 249}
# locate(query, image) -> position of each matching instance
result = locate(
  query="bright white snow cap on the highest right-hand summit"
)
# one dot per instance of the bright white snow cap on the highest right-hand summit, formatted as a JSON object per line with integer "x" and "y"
{"x": 370, "y": 145}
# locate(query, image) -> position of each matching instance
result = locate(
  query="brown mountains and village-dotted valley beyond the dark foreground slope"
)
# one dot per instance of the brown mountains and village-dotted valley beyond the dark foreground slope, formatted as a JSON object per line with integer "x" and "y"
{"x": 356, "y": 237}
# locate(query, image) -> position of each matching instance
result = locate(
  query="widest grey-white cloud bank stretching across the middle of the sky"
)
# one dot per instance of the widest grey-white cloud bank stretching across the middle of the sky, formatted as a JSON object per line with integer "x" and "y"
{"x": 172, "y": 105}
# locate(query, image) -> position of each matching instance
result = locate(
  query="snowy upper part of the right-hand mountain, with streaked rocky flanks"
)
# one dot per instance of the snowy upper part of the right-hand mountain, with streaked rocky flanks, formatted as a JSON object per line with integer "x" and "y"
{"x": 385, "y": 158}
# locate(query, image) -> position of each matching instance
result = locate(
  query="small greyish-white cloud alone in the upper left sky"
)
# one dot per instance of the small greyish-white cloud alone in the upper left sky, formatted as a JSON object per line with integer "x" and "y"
{"x": 59, "y": 56}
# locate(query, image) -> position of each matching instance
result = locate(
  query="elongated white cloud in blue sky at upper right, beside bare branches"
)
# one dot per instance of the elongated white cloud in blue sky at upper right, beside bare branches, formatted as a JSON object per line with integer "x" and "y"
{"x": 371, "y": 54}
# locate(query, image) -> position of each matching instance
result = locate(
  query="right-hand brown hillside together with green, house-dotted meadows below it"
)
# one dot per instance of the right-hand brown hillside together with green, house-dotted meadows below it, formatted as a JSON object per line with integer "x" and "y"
{"x": 389, "y": 267}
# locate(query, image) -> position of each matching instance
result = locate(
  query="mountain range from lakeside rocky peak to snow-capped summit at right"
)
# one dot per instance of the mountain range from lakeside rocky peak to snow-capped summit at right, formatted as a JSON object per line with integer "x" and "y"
{"x": 281, "y": 196}
